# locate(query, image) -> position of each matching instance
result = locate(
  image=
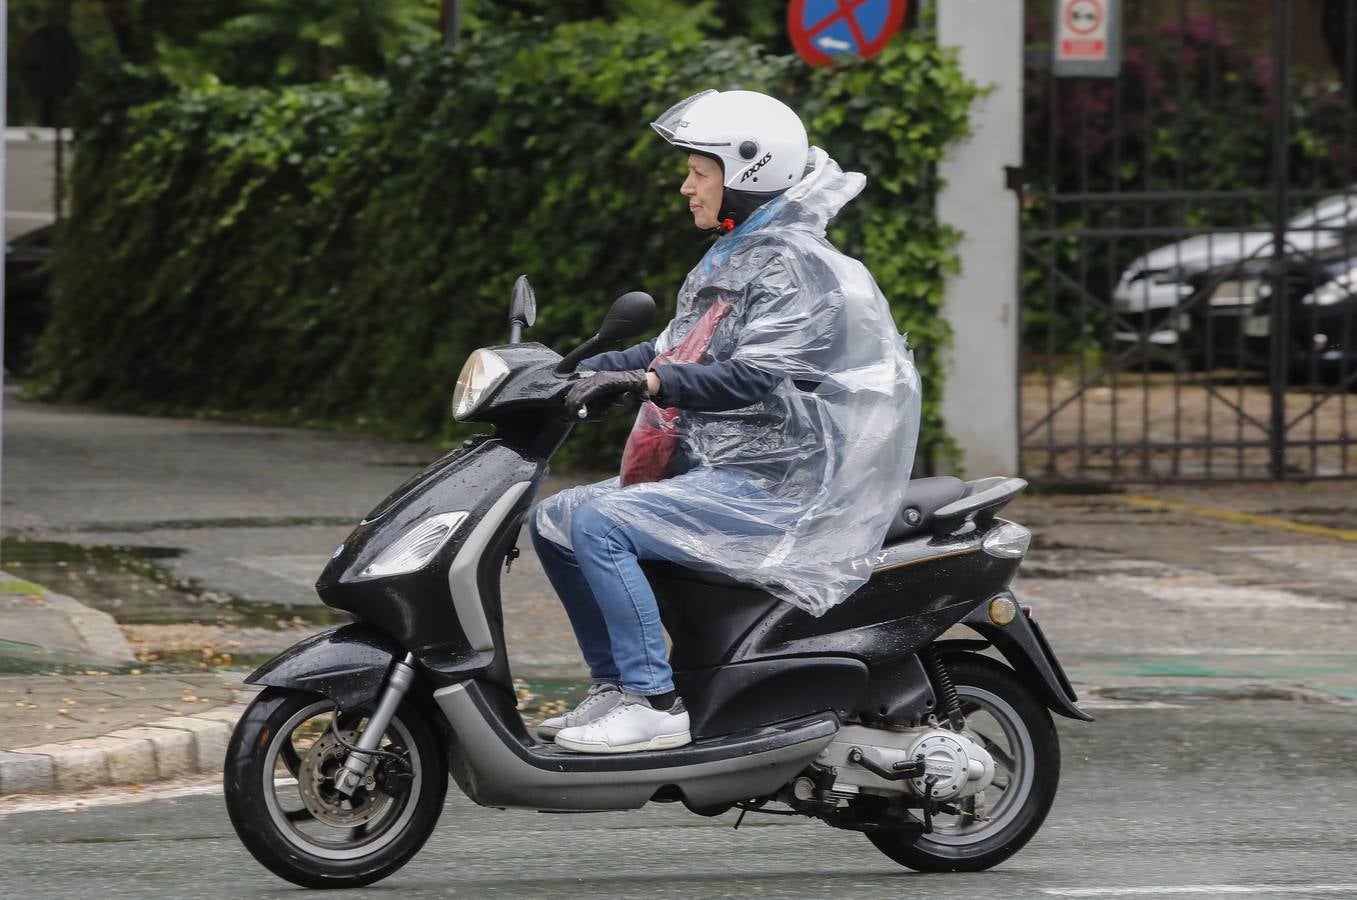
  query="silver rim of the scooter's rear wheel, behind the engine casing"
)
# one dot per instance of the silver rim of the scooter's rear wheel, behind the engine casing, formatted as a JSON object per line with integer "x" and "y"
{"x": 994, "y": 724}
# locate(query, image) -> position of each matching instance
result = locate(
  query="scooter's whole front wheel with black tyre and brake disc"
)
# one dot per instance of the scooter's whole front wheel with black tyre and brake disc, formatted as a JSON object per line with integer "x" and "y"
{"x": 280, "y": 772}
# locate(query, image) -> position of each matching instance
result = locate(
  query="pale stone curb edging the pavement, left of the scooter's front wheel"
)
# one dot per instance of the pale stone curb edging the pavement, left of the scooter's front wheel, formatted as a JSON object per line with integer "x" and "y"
{"x": 166, "y": 749}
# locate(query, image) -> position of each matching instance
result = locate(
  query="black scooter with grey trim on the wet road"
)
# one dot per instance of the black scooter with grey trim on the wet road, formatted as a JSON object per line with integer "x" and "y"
{"x": 869, "y": 717}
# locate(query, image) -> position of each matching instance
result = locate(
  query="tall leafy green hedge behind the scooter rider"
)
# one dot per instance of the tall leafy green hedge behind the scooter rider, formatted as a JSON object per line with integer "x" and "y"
{"x": 329, "y": 255}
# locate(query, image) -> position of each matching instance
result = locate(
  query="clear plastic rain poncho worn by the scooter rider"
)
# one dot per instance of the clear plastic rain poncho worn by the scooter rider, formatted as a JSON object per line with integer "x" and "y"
{"x": 796, "y": 492}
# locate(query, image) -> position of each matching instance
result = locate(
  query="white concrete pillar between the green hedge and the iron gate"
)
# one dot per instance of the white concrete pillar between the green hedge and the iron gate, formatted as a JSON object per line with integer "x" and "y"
{"x": 980, "y": 392}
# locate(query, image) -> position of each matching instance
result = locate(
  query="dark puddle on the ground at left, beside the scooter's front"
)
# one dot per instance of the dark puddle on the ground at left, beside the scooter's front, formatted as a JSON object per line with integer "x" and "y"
{"x": 135, "y": 587}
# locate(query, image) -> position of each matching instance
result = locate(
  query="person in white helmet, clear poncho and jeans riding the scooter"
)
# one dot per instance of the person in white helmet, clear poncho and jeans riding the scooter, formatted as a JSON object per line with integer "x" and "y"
{"x": 778, "y": 434}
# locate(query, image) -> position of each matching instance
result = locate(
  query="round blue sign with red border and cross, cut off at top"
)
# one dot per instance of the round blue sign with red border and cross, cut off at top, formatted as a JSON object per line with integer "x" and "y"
{"x": 826, "y": 29}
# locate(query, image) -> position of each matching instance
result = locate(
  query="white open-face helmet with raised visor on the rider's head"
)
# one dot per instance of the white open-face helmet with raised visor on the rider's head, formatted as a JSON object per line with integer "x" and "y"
{"x": 758, "y": 140}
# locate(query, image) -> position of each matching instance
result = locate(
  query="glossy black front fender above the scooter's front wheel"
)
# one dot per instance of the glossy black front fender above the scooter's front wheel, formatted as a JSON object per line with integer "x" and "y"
{"x": 348, "y": 664}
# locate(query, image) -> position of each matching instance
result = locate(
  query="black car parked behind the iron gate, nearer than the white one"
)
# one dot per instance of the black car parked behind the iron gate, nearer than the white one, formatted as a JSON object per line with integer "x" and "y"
{"x": 1230, "y": 321}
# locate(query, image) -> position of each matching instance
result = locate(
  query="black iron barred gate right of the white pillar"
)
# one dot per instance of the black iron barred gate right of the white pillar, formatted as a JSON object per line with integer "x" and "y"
{"x": 1189, "y": 249}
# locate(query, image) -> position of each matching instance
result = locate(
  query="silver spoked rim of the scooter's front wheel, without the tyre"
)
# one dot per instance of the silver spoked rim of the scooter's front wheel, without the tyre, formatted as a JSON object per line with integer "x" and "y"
{"x": 302, "y": 755}
